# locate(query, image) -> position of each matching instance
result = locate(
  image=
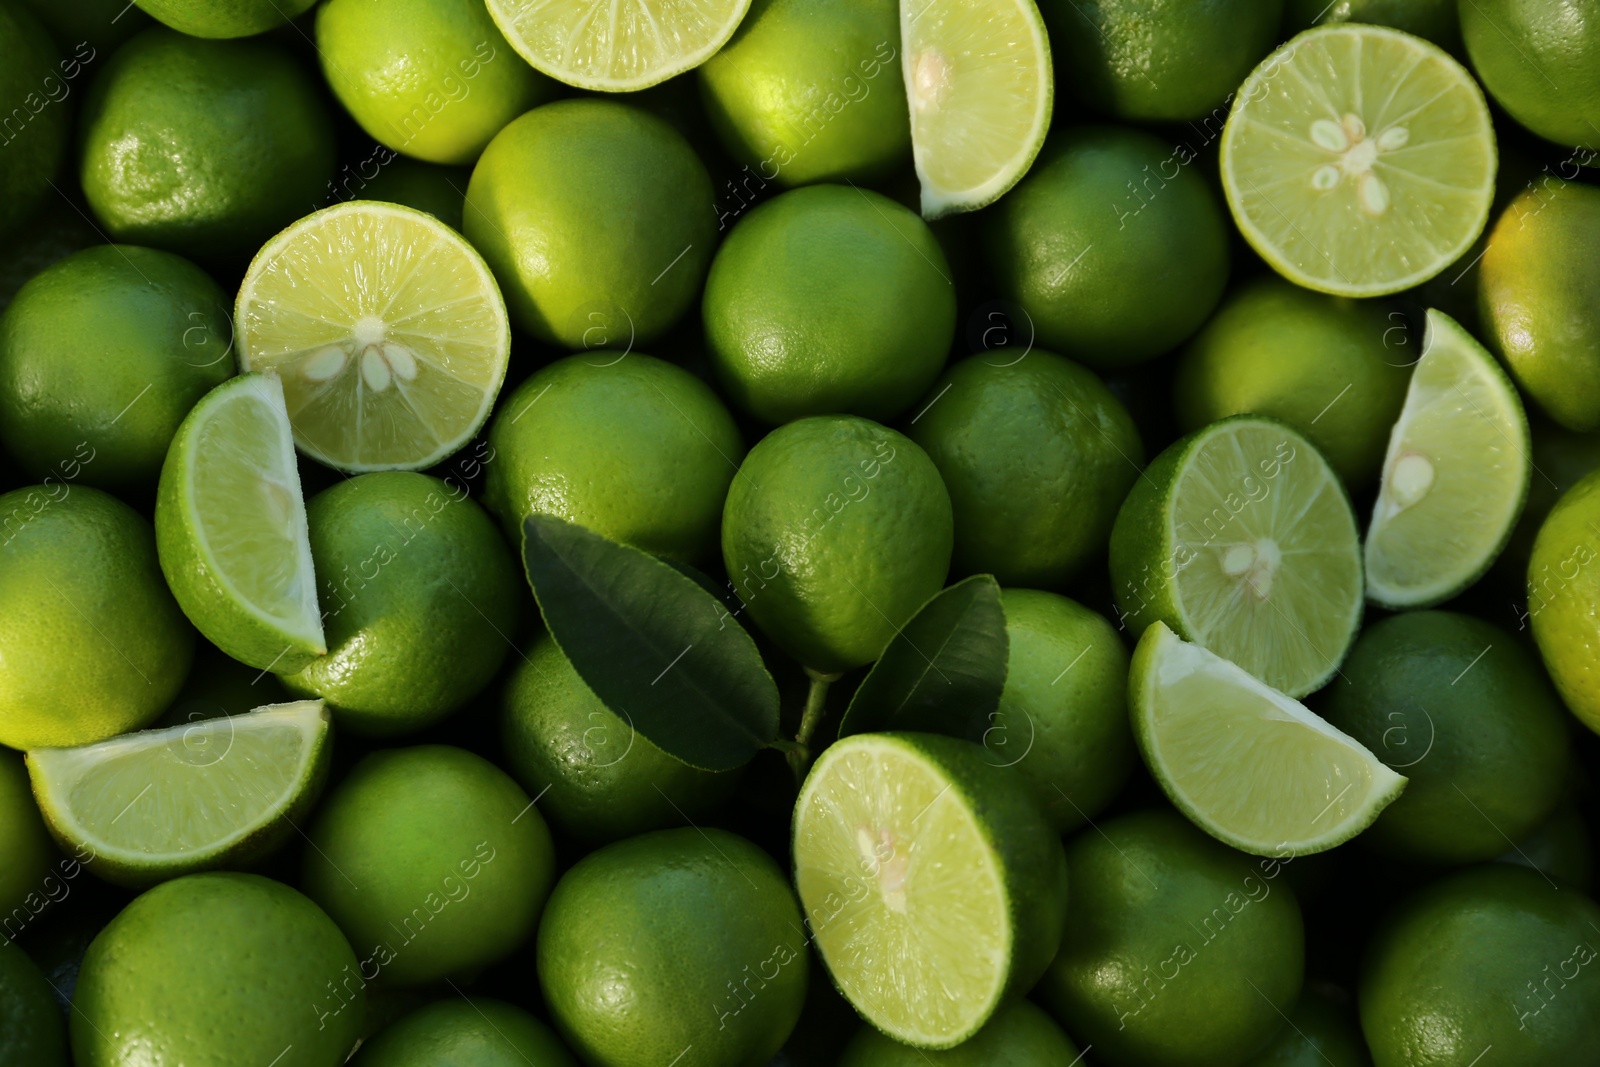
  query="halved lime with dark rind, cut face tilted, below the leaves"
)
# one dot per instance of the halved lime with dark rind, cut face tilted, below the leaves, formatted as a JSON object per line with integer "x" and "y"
{"x": 930, "y": 884}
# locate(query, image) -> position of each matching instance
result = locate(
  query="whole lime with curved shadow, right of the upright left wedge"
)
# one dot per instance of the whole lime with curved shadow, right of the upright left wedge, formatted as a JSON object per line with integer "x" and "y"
{"x": 420, "y": 597}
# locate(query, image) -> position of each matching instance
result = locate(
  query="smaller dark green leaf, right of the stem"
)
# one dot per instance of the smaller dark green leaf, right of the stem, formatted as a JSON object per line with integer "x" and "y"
{"x": 943, "y": 673}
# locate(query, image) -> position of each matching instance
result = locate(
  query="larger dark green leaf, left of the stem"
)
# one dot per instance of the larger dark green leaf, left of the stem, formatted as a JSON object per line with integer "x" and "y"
{"x": 652, "y": 642}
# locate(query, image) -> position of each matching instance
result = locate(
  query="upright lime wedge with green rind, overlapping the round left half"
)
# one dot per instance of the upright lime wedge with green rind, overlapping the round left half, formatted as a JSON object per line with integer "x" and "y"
{"x": 231, "y": 529}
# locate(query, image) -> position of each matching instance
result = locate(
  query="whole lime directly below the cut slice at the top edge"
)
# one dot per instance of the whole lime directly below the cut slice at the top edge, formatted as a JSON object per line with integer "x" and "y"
{"x": 596, "y": 218}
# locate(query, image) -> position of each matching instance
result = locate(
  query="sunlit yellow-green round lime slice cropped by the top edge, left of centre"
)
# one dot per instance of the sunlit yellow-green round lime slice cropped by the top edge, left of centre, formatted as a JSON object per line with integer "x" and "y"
{"x": 615, "y": 47}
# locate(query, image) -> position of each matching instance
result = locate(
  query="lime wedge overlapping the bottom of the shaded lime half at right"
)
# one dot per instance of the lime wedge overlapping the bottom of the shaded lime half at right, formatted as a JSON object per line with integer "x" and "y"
{"x": 1247, "y": 764}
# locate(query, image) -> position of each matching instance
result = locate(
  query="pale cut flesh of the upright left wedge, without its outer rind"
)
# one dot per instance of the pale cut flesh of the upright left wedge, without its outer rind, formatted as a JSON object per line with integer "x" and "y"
{"x": 246, "y": 508}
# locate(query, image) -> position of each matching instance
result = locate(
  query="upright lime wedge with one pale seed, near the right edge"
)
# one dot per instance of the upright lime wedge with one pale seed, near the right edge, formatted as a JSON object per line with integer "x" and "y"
{"x": 1455, "y": 478}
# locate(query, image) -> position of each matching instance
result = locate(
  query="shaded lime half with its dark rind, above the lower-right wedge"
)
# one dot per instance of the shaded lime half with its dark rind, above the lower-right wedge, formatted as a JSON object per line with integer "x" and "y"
{"x": 1241, "y": 538}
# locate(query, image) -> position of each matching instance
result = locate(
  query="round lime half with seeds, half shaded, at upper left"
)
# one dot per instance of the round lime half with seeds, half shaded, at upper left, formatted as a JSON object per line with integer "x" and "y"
{"x": 388, "y": 330}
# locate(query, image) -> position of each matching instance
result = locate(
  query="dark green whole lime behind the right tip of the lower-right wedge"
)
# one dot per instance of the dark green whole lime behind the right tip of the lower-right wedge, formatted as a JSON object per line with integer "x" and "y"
{"x": 1465, "y": 713}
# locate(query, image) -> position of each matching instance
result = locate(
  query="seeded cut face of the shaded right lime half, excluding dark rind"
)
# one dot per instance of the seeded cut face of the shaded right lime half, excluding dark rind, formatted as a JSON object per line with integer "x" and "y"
{"x": 1266, "y": 554}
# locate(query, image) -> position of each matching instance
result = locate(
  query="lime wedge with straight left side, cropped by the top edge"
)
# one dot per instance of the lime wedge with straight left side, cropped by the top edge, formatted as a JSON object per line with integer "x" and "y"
{"x": 980, "y": 87}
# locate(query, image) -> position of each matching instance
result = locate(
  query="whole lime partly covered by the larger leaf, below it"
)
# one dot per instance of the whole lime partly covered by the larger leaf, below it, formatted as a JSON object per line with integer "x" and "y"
{"x": 598, "y": 778}
